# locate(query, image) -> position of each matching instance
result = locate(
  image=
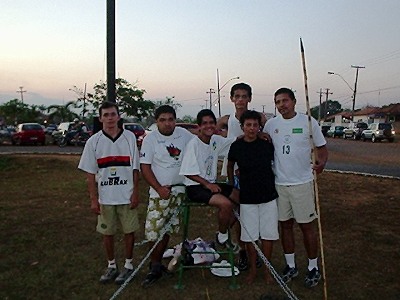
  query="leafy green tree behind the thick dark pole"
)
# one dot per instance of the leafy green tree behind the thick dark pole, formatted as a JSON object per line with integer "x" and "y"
{"x": 128, "y": 96}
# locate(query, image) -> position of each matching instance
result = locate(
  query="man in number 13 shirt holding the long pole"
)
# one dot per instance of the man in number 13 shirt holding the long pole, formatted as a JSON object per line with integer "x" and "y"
{"x": 290, "y": 134}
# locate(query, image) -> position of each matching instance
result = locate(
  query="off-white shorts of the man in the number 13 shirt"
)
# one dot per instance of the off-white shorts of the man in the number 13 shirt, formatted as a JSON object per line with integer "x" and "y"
{"x": 296, "y": 201}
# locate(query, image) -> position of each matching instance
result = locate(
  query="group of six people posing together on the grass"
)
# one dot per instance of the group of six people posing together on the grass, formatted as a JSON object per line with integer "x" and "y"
{"x": 270, "y": 178}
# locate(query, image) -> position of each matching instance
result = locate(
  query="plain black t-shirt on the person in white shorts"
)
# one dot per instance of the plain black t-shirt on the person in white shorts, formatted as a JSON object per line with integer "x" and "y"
{"x": 256, "y": 178}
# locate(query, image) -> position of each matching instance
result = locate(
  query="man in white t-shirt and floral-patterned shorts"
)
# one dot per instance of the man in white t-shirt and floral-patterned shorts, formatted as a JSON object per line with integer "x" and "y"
{"x": 160, "y": 161}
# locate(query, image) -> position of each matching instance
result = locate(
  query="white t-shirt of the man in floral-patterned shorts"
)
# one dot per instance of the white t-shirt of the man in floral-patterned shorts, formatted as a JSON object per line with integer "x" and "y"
{"x": 164, "y": 154}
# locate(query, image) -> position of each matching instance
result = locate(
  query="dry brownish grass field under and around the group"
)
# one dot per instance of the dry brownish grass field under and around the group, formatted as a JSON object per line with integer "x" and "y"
{"x": 49, "y": 248}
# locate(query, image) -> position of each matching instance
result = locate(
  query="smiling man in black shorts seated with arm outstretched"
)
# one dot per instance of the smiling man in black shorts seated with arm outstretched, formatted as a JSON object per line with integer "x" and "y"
{"x": 199, "y": 165}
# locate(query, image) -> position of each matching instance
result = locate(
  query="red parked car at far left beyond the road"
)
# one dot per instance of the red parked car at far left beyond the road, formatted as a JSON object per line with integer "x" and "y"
{"x": 28, "y": 133}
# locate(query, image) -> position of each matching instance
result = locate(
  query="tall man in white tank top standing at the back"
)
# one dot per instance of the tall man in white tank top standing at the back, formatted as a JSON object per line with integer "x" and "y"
{"x": 229, "y": 126}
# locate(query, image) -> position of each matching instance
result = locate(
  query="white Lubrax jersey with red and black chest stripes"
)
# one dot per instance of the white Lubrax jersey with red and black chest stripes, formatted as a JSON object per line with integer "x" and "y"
{"x": 113, "y": 160}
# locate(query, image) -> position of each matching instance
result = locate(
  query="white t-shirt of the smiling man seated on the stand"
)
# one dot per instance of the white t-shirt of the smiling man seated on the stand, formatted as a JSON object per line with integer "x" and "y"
{"x": 202, "y": 159}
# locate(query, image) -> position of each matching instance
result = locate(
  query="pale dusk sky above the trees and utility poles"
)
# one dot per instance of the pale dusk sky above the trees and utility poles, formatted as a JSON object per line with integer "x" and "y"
{"x": 173, "y": 49}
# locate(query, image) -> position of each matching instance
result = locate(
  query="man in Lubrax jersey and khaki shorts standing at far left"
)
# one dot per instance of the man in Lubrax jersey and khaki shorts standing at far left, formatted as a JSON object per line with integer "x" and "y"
{"x": 112, "y": 155}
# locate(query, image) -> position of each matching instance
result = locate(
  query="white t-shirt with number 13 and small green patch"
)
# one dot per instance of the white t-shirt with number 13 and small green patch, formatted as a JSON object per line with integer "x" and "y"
{"x": 291, "y": 139}
